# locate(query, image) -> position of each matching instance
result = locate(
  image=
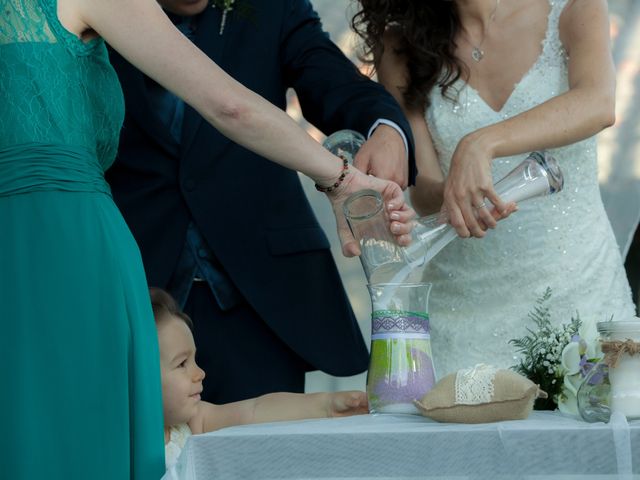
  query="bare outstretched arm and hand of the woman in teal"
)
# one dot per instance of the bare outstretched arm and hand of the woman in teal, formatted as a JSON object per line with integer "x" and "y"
{"x": 141, "y": 32}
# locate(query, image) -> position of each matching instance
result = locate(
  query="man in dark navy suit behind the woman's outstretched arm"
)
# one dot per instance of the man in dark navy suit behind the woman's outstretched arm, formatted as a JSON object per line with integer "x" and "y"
{"x": 231, "y": 235}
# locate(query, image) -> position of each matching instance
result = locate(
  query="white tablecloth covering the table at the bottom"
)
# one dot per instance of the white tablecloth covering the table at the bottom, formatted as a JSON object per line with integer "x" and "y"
{"x": 547, "y": 445}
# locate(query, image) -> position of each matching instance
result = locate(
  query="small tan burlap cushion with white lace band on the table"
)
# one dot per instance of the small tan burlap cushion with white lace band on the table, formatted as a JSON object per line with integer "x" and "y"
{"x": 480, "y": 395}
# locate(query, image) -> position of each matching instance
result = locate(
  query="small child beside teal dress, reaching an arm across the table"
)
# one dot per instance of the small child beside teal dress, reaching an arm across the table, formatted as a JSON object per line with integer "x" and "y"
{"x": 185, "y": 414}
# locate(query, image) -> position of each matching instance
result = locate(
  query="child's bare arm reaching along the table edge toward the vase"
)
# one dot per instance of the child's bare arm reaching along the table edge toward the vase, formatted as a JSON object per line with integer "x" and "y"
{"x": 275, "y": 407}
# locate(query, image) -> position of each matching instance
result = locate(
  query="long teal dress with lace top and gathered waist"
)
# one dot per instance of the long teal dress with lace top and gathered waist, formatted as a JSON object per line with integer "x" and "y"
{"x": 80, "y": 394}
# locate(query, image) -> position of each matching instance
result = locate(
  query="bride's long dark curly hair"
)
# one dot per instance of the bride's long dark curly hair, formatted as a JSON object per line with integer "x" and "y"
{"x": 426, "y": 30}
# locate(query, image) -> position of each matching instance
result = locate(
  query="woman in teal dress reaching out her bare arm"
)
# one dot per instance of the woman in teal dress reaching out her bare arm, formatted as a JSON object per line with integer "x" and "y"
{"x": 79, "y": 364}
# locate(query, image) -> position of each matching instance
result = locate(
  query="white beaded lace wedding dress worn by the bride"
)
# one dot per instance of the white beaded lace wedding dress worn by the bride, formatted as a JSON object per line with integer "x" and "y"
{"x": 483, "y": 289}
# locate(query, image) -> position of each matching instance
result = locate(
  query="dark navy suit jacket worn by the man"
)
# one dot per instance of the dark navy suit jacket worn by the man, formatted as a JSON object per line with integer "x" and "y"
{"x": 252, "y": 212}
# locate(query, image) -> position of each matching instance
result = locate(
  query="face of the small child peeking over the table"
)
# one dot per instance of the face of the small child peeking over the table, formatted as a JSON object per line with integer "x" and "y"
{"x": 181, "y": 376}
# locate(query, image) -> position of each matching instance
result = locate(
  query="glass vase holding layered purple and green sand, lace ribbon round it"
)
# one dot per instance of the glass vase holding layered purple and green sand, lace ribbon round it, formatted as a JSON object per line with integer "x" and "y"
{"x": 400, "y": 365}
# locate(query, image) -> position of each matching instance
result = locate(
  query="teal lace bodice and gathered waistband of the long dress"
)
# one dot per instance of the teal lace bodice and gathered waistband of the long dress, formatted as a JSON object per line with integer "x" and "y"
{"x": 57, "y": 93}
